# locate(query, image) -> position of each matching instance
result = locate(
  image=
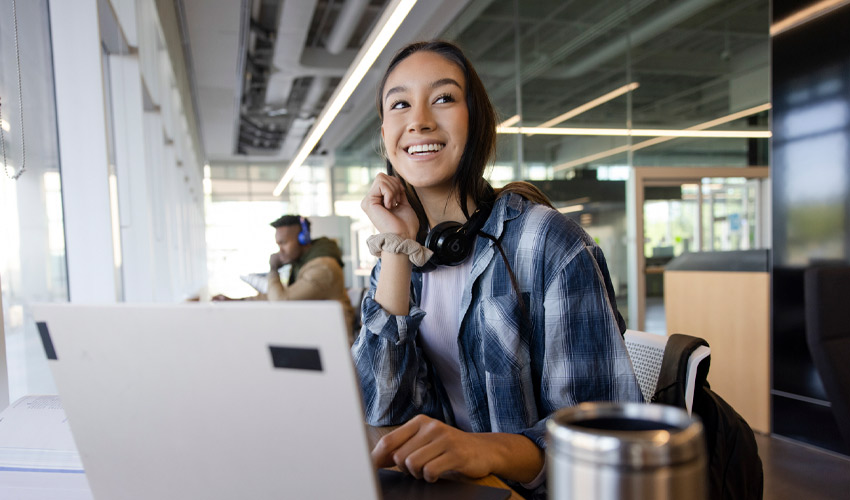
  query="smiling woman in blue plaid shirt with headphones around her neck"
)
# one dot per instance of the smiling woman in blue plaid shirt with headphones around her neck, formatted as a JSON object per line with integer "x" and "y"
{"x": 522, "y": 318}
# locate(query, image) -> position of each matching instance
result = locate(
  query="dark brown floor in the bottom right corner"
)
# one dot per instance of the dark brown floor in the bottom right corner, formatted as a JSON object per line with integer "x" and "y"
{"x": 794, "y": 471}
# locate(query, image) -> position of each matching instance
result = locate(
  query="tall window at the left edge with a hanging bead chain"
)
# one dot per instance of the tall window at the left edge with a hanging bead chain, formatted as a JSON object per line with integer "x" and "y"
{"x": 32, "y": 253}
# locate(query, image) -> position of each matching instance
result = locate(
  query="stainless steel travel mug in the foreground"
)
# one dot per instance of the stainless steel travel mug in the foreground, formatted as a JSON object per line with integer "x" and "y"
{"x": 603, "y": 451}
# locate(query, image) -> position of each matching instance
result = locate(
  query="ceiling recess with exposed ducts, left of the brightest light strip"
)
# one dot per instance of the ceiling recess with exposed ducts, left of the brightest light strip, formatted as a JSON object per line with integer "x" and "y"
{"x": 285, "y": 93}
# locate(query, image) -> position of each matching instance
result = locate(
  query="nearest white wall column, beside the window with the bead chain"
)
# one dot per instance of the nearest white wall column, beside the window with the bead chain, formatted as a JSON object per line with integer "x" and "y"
{"x": 81, "y": 124}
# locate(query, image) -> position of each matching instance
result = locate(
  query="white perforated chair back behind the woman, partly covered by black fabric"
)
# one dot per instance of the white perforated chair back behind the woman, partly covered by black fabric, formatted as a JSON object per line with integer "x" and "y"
{"x": 646, "y": 351}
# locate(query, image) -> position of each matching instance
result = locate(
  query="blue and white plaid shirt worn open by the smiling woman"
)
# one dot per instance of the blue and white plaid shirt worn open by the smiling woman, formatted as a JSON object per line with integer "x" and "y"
{"x": 516, "y": 368}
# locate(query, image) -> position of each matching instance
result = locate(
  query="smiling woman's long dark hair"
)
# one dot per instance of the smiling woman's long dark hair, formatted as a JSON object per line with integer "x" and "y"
{"x": 480, "y": 148}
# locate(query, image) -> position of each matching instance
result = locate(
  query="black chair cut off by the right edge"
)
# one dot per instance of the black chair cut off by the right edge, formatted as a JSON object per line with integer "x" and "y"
{"x": 828, "y": 335}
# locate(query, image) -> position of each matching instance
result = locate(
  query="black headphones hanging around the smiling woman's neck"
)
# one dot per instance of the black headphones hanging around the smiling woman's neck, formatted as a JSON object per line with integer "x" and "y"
{"x": 452, "y": 241}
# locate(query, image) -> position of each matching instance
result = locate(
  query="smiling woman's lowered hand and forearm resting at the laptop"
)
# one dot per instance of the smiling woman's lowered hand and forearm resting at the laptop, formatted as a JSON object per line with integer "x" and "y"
{"x": 428, "y": 449}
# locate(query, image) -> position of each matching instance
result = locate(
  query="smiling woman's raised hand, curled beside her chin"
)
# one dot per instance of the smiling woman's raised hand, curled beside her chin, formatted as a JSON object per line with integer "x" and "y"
{"x": 387, "y": 207}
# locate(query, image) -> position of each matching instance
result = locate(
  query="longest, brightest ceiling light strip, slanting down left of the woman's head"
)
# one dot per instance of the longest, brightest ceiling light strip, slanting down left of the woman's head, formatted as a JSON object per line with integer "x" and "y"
{"x": 390, "y": 20}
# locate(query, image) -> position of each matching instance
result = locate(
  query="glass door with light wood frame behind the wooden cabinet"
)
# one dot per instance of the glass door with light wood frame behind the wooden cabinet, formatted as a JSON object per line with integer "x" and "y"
{"x": 682, "y": 210}
